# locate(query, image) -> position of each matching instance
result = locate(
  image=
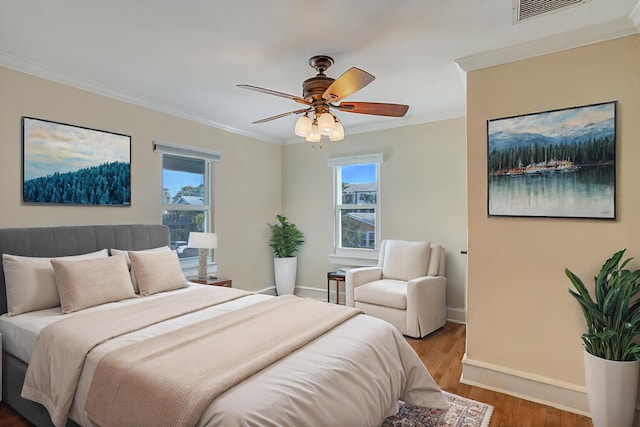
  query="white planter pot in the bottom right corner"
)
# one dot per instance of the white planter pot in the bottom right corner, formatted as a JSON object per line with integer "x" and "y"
{"x": 612, "y": 388}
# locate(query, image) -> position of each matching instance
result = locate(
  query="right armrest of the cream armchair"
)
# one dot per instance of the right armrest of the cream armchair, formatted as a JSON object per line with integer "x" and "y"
{"x": 426, "y": 304}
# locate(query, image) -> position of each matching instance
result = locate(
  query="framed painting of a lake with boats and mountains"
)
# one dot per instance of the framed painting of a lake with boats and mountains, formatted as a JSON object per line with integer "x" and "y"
{"x": 559, "y": 164}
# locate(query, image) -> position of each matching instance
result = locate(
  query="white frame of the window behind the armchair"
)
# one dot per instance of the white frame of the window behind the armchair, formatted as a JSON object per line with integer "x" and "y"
{"x": 354, "y": 256}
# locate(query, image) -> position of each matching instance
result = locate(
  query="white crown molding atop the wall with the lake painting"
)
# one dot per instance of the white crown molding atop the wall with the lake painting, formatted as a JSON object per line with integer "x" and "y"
{"x": 559, "y": 42}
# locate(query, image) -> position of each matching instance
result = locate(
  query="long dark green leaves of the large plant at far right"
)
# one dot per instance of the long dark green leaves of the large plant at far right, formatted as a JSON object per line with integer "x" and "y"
{"x": 613, "y": 316}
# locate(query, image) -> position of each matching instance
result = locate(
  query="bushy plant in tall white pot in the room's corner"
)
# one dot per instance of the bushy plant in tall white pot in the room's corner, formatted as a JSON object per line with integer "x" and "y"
{"x": 285, "y": 240}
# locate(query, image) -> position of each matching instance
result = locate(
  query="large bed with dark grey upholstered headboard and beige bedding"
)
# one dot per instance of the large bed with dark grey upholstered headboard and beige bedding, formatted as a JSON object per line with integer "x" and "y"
{"x": 351, "y": 372}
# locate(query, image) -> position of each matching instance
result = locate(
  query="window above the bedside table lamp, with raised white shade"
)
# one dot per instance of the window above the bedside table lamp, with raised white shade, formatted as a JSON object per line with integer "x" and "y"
{"x": 186, "y": 193}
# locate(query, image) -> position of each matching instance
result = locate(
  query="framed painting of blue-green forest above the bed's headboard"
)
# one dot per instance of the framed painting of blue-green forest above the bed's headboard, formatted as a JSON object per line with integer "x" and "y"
{"x": 73, "y": 165}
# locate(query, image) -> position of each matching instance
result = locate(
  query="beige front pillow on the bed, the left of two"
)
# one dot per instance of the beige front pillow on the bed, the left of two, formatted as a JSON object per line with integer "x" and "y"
{"x": 91, "y": 282}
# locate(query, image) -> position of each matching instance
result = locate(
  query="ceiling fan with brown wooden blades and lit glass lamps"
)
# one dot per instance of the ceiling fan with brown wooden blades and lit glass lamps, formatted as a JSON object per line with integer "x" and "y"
{"x": 319, "y": 95}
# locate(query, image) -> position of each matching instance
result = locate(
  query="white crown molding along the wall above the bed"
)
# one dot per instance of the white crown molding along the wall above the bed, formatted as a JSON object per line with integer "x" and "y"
{"x": 53, "y": 74}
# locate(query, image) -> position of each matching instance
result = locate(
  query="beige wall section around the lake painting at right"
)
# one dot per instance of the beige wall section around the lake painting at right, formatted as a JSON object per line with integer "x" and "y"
{"x": 520, "y": 316}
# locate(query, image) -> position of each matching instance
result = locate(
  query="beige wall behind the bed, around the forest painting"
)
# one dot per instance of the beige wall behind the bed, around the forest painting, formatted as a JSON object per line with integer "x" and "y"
{"x": 247, "y": 181}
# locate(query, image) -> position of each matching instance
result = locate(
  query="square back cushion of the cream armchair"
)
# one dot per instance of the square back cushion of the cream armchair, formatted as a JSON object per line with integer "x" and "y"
{"x": 404, "y": 260}
